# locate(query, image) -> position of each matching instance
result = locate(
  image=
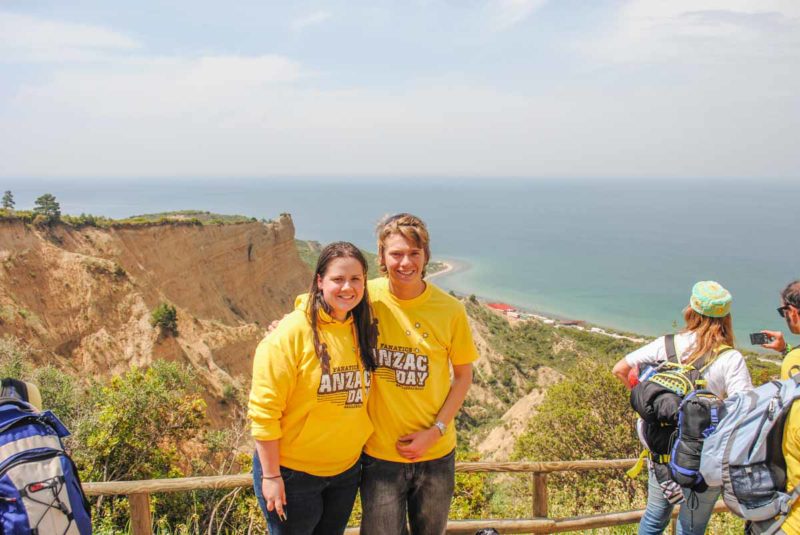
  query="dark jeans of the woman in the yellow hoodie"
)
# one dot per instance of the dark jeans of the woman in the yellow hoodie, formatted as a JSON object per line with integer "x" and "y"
{"x": 314, "y": 505}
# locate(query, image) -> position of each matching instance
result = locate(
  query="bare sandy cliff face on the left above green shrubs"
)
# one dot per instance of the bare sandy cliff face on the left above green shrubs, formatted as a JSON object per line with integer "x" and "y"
{"x": 84, "y": 296}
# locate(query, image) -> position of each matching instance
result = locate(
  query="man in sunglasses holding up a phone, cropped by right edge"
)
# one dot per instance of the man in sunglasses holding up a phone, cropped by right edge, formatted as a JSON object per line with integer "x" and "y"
{"x": 790, "y": 311}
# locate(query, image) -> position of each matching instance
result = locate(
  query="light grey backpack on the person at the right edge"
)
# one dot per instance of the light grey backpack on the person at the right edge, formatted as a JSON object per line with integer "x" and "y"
{"x": 744, "y": 454}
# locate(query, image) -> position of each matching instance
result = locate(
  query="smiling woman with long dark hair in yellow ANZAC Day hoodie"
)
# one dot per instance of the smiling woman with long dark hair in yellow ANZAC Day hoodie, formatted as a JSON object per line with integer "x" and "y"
{"x": 311, "y": 378}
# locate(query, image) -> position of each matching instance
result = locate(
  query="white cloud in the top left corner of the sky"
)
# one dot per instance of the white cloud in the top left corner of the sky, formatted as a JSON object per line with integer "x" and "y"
{"x": 29, "y": 39}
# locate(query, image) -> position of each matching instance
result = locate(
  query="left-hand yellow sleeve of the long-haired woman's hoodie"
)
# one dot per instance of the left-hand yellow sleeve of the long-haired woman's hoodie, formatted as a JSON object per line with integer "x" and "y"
{"x": 274, "y": 378}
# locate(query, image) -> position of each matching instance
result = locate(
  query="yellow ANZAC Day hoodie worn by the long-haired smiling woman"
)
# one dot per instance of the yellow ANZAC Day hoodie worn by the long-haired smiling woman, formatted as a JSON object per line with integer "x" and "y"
{"x": 321, "y": 420}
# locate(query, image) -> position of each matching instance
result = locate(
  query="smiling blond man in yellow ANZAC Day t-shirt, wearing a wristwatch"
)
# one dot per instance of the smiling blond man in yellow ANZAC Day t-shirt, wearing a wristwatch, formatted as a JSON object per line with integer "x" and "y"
{"x": 408, "y": 465}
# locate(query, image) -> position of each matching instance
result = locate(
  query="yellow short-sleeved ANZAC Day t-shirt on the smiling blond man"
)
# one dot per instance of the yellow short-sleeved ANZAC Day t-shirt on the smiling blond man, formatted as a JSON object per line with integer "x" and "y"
{"x": 418, "y": 340}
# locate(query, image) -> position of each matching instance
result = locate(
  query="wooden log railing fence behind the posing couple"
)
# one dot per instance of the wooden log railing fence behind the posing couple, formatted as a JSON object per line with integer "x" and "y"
{"x": 138, "y": 493}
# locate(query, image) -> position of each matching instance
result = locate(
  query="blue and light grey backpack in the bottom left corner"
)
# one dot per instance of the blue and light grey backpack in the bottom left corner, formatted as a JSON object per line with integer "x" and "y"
{"x": 40, "y": 493}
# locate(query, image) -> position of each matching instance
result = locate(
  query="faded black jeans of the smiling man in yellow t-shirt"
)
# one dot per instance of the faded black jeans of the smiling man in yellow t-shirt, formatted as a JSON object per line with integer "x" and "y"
{"x": 422, "y": 491}
